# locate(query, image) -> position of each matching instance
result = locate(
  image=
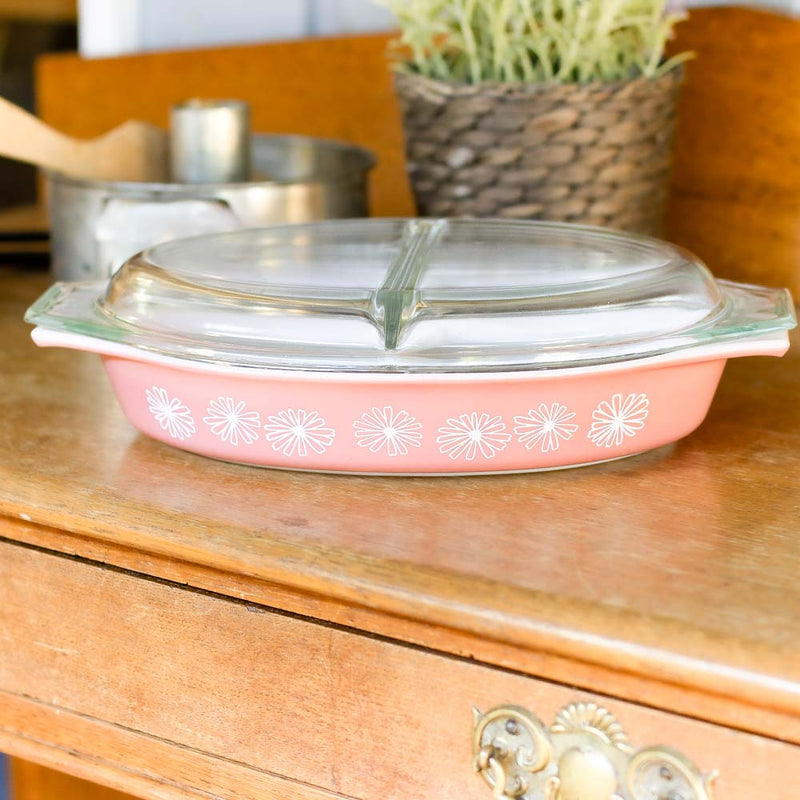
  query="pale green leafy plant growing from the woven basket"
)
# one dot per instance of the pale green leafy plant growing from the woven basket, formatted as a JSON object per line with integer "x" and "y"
{"x": 528, "y": 41}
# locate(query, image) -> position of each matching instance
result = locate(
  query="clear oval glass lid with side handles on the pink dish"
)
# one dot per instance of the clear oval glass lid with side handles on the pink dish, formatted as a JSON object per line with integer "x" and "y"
{"x": 415, "y": 295}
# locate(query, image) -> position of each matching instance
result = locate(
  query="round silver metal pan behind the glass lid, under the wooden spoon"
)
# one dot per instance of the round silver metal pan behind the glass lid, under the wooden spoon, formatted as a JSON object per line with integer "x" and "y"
{"x": 96, "y": 225}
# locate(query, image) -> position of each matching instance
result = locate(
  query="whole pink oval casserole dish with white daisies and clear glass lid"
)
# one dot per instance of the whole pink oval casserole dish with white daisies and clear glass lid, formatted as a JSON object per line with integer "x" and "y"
{"x": 415, "y": 346}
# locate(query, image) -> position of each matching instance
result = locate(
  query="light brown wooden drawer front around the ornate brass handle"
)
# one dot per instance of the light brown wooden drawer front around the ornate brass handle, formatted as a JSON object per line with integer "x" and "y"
{"x": 172, "y": 692}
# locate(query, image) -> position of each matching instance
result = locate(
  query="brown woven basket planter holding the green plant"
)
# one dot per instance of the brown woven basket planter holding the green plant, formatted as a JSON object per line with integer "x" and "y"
{"x": 597, "y": 154}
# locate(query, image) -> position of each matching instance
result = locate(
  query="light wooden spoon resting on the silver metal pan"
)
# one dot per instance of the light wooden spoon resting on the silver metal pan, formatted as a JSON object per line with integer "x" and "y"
{"x": 133, "y": 151}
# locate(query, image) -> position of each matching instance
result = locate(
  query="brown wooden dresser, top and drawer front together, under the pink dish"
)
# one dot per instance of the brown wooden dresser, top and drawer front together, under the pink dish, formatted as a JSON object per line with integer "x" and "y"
{"x": 176, "y": 627}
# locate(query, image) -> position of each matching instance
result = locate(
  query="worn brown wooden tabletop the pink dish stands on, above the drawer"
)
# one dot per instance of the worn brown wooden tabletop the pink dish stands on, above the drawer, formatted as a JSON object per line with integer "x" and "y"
{"x": 670, "y": 578}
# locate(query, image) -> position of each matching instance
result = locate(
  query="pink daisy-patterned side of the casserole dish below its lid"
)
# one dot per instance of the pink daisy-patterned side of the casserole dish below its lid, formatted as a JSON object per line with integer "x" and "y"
{"x": 443, "y": 424}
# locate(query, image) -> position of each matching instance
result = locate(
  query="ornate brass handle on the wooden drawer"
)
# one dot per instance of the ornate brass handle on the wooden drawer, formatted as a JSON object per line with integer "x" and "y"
{"x": 584, "y": 755}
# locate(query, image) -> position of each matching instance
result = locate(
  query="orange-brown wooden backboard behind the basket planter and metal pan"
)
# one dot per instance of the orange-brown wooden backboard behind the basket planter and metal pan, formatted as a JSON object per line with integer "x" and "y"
{"x": 736, "y": 180}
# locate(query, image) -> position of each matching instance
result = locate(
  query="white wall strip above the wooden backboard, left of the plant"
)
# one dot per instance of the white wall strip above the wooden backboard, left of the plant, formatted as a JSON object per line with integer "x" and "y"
{"x": 114, "y": 27}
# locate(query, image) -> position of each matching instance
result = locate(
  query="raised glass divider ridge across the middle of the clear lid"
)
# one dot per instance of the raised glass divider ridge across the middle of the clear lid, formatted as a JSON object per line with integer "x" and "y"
{"x": 396, "y": 299}
